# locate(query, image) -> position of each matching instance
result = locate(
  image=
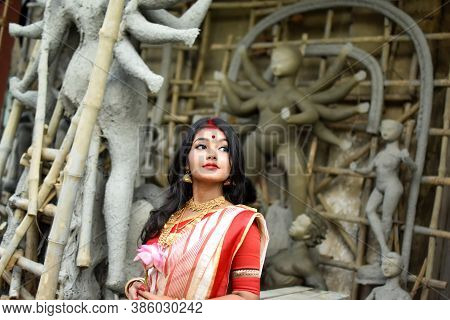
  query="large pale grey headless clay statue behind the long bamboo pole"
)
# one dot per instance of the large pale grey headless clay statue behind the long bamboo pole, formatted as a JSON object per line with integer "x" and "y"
{"x": 125, "y": 101}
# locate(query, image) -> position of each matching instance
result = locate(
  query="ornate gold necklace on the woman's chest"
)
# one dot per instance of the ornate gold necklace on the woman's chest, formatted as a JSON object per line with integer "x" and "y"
{"x": 166, "y": 238}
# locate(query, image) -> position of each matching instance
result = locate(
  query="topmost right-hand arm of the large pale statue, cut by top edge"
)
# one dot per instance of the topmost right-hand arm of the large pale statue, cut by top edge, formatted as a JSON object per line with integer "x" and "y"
{"x": 192, "y": 18}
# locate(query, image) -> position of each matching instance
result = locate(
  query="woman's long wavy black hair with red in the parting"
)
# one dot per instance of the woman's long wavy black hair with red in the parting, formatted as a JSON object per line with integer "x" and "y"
{"x": 179, "y": 192}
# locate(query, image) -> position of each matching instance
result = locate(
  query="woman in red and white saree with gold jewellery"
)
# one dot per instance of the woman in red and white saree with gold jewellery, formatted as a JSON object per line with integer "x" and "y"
{"x": 213, "y": 247}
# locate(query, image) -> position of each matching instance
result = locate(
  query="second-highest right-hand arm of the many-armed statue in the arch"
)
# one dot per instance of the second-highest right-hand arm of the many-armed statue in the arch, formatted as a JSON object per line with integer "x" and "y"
{"x": 338, "y": 91}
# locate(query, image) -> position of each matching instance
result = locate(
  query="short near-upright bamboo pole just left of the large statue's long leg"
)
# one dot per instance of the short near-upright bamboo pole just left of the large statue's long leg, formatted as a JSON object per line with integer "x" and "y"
{"x": 85, "y": 238}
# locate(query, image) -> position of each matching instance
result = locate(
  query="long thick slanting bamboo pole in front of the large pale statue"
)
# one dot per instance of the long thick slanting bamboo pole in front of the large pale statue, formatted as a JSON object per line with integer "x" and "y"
{"x": 92, "y": 103}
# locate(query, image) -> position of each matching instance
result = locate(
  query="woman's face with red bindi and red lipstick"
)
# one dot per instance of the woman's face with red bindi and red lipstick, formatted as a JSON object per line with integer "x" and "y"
{"x": 209, "y": 158}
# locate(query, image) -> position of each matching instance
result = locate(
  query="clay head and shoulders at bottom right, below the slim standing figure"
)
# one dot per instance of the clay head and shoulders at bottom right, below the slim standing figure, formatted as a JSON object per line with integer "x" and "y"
{"x": 392, "y": 266}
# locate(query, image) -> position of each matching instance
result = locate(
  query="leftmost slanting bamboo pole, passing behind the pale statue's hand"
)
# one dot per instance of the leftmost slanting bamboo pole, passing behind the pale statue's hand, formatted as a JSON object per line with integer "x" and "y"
{"x": 14, "y": 117}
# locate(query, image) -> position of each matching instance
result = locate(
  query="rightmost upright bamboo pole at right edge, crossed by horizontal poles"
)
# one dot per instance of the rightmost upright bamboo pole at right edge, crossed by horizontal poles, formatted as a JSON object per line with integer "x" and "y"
{"x": 442, "y": 170}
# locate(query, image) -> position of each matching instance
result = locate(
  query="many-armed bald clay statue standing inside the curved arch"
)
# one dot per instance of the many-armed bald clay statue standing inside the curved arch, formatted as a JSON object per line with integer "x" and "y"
{"x": 275, "y": 136}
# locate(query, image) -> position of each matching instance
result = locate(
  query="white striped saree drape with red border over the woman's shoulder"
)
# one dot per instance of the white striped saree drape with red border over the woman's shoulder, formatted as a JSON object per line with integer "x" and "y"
{"x": 192, "y": 269}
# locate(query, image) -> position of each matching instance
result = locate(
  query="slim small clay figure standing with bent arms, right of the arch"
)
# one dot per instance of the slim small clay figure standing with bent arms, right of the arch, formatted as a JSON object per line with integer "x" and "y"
{"x": 387, "y": 193}
